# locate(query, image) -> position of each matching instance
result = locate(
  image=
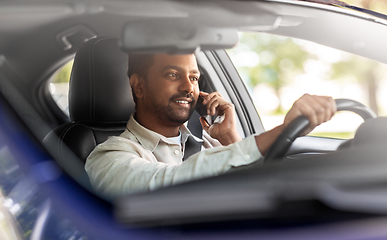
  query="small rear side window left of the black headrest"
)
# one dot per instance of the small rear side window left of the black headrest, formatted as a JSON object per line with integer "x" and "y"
{"x": 59, "y": 86}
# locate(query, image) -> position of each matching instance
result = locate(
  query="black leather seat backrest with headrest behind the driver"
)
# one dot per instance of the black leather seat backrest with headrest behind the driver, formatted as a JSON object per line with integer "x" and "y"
{"x": 100, "y": 99}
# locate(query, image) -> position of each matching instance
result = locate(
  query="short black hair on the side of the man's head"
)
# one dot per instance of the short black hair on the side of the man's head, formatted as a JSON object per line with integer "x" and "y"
{"x": 139, "y": 63}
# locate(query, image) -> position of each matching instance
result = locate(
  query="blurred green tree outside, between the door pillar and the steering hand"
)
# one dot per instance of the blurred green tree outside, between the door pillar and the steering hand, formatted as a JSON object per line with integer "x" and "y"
{"x": 278, "y": 59}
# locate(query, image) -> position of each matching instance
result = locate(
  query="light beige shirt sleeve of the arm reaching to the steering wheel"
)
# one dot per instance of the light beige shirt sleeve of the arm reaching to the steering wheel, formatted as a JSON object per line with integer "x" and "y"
{"x": 115, "y": 169}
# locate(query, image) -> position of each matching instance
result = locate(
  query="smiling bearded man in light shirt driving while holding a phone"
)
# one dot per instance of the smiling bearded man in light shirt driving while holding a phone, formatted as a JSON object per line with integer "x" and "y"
{"x": 148, "y": 155}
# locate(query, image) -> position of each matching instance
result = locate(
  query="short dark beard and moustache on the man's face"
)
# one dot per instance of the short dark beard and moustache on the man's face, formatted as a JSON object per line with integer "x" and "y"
{"x": 170, "y": 114}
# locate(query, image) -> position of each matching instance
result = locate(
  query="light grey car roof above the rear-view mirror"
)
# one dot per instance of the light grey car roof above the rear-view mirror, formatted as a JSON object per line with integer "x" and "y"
{"x": 32, "y": 21}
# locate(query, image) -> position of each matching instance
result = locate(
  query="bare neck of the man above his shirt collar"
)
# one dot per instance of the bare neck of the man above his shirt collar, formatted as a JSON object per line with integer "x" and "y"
{"x": 152, "y": 124}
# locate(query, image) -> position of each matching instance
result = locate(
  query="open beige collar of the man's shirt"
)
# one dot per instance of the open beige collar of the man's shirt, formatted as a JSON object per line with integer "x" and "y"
{"x": 150, "y": 139}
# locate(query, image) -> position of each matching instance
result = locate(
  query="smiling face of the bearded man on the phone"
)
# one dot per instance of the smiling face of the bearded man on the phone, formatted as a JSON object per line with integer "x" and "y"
{"x": 171, "y": 88}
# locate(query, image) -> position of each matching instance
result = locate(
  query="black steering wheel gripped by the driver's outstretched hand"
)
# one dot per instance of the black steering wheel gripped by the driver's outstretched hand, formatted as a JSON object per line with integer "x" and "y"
{"x": 282, "y": 144}
